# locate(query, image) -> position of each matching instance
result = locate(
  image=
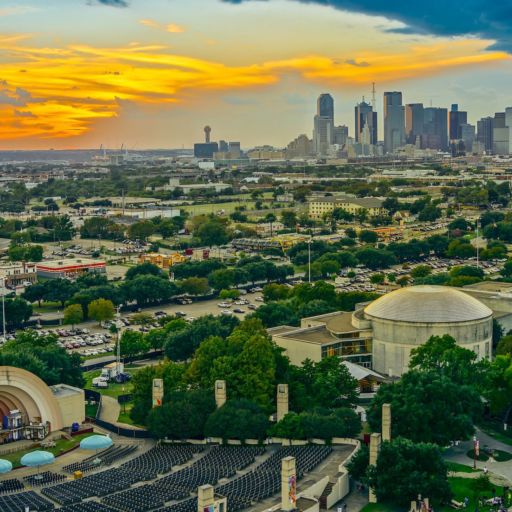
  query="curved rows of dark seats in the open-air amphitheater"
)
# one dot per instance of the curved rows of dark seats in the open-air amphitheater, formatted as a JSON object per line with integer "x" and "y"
{"x": 140, "y": 476}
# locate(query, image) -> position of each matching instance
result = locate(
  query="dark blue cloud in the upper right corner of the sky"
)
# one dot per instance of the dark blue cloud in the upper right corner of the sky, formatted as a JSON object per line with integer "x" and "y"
{"x": 489, "y": 20}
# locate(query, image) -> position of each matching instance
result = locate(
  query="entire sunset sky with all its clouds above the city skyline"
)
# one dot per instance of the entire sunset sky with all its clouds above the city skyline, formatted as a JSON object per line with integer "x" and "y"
{"x": 153, "y": 73}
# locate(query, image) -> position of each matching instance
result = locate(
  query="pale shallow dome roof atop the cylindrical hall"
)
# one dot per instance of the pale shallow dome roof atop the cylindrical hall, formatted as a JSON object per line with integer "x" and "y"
{"x": 428, "y": 304}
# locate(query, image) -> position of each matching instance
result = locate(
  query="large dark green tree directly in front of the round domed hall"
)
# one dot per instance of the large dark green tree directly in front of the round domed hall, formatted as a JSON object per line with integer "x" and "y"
{"x": 428, "y": 407}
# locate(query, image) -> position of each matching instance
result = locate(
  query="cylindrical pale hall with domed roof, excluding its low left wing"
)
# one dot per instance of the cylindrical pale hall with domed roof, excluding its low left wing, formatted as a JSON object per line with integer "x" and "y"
{"x": 404, "y": 319}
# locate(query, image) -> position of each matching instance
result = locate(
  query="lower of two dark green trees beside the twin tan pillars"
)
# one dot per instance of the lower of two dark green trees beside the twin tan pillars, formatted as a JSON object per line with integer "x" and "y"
{"x": 405, "y": 469}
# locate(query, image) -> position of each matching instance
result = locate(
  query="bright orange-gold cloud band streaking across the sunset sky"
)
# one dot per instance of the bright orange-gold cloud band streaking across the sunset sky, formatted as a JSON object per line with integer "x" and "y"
{"x": 67, "y": 89}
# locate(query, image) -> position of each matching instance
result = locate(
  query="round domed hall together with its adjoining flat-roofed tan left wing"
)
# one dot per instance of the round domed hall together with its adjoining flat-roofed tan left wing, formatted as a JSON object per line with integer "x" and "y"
{"x": 381, "y": 335}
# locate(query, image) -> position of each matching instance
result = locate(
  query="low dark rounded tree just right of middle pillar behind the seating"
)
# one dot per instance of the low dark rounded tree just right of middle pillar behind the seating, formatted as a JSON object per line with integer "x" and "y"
{"x": 238, "y": 419}
